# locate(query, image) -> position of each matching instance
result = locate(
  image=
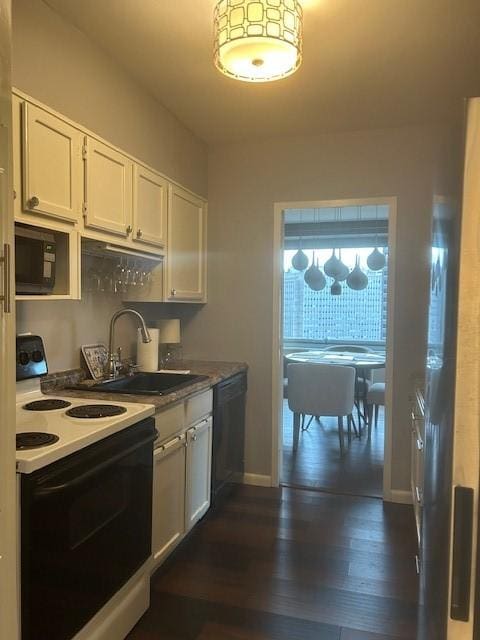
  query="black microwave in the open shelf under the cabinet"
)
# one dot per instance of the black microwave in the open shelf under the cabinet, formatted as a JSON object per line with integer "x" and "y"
{"x": 35, "y": 258}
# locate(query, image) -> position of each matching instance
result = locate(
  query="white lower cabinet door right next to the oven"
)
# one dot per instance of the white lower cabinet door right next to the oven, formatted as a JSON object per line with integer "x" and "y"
{"x": 168, "y": 514}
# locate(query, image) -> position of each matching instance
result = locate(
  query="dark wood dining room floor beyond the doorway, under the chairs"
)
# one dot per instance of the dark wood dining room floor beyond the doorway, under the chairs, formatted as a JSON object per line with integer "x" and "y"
{"x": 317, "y": 464}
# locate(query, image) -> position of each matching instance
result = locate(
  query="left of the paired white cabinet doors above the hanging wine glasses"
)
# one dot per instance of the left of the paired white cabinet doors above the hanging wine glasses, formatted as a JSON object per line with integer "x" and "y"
{"x": 108, "y": 188}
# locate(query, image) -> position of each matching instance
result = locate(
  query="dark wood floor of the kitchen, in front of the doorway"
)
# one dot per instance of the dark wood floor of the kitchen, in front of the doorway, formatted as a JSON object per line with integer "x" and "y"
{"x": 284, "y": 564}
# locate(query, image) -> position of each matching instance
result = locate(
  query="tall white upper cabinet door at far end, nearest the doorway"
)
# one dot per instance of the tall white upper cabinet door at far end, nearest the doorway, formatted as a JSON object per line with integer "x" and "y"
{"x": 186, "y": 256}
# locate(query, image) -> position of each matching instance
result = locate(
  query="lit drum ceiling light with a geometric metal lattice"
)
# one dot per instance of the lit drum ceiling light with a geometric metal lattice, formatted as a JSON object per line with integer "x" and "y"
{"x": 258, "y": 41}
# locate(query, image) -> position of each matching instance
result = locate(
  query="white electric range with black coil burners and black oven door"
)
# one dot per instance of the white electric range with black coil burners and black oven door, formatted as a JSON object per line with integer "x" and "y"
{"x": 85, "y": 478}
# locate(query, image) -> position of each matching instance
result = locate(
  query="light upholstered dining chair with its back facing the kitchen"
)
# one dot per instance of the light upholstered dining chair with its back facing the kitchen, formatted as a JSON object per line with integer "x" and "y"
{"x": 321, "y": 390}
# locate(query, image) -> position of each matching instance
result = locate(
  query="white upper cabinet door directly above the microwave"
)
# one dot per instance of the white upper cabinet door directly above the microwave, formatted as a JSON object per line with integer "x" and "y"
{"x": 52, "y": 165}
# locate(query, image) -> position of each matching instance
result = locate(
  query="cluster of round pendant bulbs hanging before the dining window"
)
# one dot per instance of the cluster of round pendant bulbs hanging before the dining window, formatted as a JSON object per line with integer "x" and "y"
{"x": 334, "y": 268}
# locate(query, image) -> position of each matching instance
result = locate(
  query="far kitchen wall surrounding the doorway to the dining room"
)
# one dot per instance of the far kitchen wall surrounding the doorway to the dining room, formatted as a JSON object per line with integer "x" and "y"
{"x": 244, "y": 182}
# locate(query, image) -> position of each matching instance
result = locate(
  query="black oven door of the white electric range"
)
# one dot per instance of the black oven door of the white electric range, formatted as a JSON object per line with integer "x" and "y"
{"x": 86, "y": 529}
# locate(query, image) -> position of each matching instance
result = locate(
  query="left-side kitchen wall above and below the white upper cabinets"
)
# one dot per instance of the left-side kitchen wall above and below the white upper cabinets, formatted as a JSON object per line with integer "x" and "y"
{"x": 55, "y": 63}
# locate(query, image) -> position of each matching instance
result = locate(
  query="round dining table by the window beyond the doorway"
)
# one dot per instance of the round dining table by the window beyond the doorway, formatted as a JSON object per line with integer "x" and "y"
{"x": 360, "y": 361}
